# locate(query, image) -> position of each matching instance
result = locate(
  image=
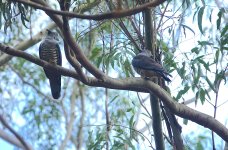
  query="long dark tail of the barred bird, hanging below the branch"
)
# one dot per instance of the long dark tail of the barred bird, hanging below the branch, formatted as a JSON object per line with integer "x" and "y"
{"x": 55, "y": 84}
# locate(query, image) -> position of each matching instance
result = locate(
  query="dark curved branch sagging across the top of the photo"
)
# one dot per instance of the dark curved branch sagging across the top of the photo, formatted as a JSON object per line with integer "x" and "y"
{"x": 109, "y": 15}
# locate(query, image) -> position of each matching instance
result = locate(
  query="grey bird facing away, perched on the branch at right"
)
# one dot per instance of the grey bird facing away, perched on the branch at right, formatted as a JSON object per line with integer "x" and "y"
{"x": 147, "y": 67}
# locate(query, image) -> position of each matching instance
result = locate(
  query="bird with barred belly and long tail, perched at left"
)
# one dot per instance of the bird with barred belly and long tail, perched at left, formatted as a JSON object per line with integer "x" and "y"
{"x": 49, "y": 51}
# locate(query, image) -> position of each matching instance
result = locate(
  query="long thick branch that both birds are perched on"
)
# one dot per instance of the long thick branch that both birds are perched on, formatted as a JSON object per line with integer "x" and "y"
{"x": 133, "y": 84}
